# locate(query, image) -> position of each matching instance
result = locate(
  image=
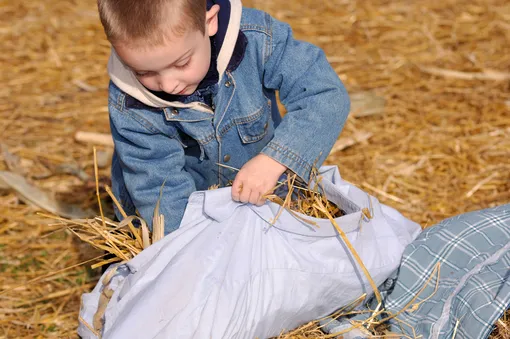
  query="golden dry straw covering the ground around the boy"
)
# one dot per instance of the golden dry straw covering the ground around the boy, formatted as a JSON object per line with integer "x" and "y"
{"x": 441, "y": 146}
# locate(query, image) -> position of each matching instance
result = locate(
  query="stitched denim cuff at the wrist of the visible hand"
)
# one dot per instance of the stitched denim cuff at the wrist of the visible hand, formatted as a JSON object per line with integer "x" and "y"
{"x": 289, "y": 159}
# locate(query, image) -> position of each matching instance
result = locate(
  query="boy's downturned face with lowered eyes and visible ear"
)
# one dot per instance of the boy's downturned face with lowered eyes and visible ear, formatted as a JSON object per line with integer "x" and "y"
{"x": 177, "y": 66}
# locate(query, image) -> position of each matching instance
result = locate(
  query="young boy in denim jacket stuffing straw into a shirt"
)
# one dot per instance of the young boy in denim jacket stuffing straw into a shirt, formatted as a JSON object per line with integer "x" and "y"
{"x": 193, "y": 85}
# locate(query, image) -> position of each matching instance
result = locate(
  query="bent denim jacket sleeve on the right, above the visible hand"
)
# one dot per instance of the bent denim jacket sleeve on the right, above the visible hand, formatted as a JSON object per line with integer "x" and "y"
{"x": 316, "y": 101}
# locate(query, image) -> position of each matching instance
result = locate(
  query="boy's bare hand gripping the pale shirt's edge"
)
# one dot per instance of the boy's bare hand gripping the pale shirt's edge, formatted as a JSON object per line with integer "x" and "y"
{"x": 256, "y": 177}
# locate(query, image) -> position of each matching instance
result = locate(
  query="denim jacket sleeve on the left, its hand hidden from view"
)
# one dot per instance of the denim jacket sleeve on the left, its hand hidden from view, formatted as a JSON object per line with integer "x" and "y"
{"x": 149, "y": 158}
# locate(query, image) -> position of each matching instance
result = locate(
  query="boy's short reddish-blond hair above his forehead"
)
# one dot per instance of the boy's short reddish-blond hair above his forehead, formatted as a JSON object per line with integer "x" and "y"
{"x": 146, "y": 22}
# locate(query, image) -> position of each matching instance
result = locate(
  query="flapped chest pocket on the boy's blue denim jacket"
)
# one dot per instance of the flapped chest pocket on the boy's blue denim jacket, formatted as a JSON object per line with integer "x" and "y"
{"x": 254, "y": 127}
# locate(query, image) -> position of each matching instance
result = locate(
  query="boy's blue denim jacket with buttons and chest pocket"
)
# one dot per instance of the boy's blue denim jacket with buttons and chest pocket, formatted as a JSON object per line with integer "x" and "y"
{"x": 181, "y": 146}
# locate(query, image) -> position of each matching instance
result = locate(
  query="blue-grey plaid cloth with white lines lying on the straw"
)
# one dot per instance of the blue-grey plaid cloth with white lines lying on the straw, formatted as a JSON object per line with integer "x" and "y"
{"x": 473, "y": 290}
